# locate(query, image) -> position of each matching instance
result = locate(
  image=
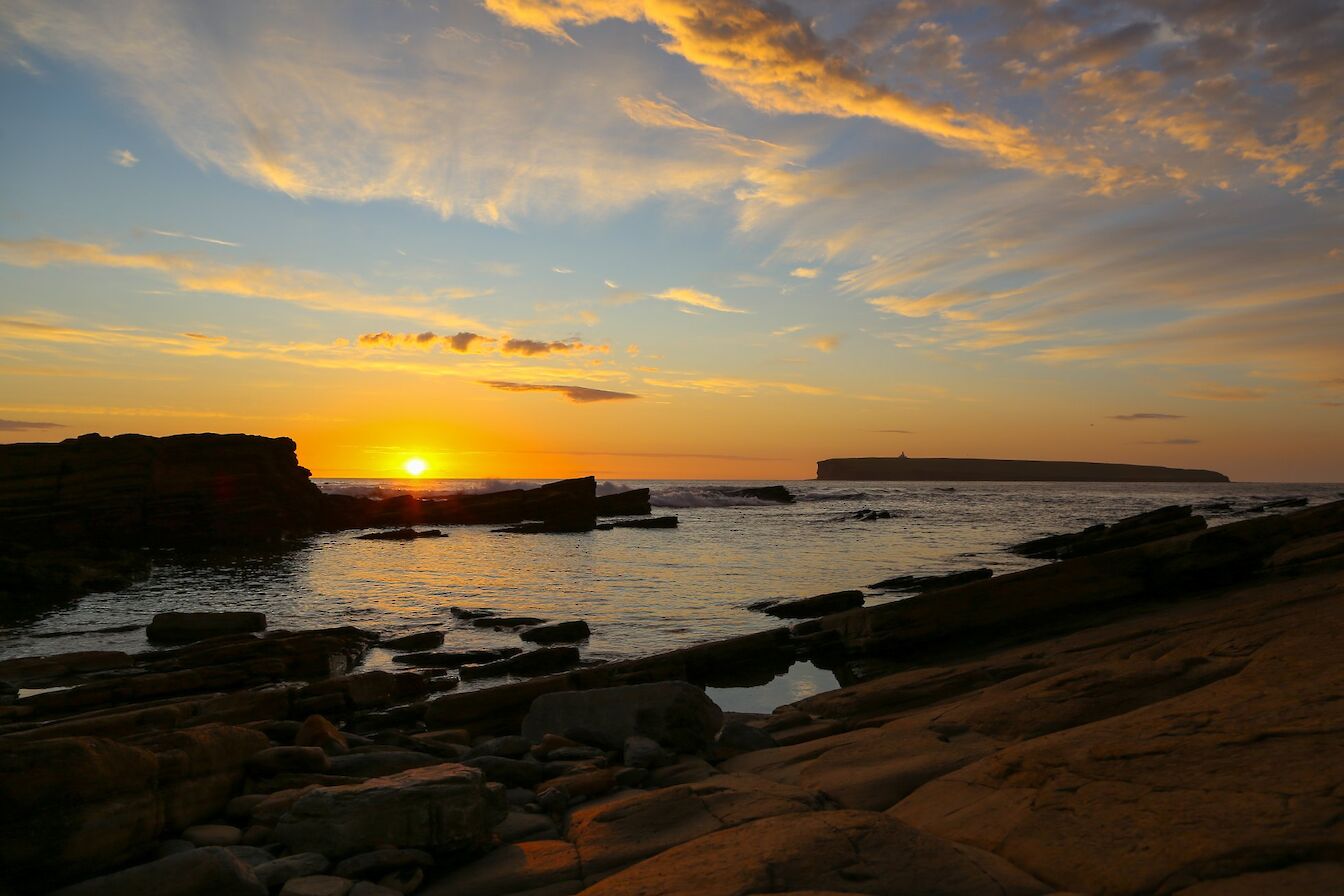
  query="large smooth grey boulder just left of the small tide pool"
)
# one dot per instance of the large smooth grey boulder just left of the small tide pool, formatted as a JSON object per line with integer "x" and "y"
{"x": 675, "y": 714}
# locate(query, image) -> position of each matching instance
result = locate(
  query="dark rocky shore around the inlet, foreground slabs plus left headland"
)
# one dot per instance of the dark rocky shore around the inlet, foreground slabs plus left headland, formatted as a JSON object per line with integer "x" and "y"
{"x": 1157, "y": 709}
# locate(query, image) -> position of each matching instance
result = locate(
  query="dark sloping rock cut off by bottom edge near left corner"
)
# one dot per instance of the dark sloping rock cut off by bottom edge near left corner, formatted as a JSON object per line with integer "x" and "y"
{"x": 201, "y": 871}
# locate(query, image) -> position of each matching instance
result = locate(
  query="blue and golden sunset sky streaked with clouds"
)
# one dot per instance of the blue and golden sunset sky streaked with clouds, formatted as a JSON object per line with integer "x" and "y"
{"x": 679, "y": 238}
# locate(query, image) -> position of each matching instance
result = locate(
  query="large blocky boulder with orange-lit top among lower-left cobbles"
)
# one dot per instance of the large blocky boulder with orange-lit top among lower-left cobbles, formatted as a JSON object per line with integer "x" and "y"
{"x": 437, "y": 808}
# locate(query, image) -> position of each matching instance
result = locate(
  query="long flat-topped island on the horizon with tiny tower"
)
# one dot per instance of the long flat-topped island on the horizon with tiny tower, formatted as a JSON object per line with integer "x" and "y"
{"x": 964, "y": 469}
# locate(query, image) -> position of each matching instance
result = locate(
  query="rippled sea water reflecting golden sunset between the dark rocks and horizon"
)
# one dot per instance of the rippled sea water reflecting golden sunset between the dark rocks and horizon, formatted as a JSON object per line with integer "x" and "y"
{"x": 642, "y": 592}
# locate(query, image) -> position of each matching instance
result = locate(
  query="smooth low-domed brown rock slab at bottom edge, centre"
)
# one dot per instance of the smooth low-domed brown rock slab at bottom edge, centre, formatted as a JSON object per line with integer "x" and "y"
{"x": 842, "y": 852}
